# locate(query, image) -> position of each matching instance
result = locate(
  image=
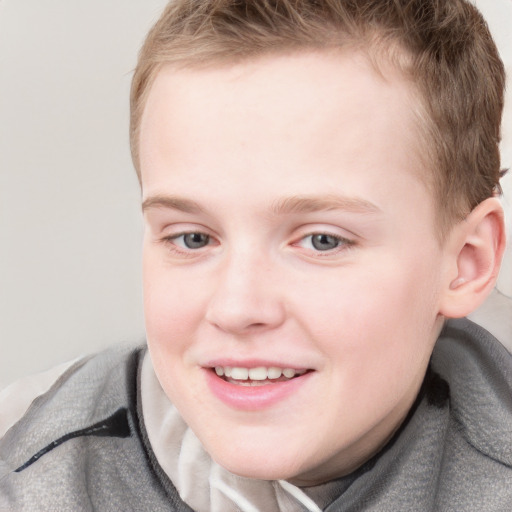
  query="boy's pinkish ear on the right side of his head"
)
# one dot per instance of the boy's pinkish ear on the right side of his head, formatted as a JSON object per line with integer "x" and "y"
{"x": 474, "y": 249}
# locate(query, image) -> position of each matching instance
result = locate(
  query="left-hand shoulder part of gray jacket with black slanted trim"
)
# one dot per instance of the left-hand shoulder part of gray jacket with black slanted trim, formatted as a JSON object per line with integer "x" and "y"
{"x": 92, "y": 472}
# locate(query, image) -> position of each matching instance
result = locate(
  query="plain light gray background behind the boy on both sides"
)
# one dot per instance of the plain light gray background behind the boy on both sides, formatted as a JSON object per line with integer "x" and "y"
{"x": 70, "y": 227}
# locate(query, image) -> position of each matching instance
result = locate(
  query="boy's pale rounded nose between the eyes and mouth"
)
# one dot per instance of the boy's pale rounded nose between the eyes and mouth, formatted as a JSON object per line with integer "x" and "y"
{"x": 247, "y": 297}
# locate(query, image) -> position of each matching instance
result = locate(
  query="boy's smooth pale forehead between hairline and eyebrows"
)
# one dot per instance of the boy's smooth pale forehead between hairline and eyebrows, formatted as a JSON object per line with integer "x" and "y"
{"x": 304, "y": 115}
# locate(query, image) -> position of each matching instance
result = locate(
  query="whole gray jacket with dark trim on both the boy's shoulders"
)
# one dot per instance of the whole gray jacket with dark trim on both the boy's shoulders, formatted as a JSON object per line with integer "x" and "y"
{"x": 454, "y": 453}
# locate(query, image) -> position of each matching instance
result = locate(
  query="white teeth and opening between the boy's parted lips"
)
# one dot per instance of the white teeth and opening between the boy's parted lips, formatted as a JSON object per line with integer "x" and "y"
{"x": 259, "y": 376}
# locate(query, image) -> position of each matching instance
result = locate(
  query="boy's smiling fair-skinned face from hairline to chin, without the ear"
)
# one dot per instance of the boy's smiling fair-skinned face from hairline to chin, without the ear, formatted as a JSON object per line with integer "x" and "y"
{"x": 291, "y": 264}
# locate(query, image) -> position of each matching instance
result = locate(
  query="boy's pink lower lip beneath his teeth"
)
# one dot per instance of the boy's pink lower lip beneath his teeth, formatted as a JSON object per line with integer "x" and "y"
{"x": 253, "y": 398}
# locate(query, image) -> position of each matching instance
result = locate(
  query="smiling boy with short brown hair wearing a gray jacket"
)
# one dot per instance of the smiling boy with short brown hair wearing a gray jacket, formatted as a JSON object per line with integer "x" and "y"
{"x": 318, "y": 183}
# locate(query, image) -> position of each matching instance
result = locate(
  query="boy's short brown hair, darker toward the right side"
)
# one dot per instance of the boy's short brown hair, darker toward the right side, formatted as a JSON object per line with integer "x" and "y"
{"x": 444, "y": 47}
